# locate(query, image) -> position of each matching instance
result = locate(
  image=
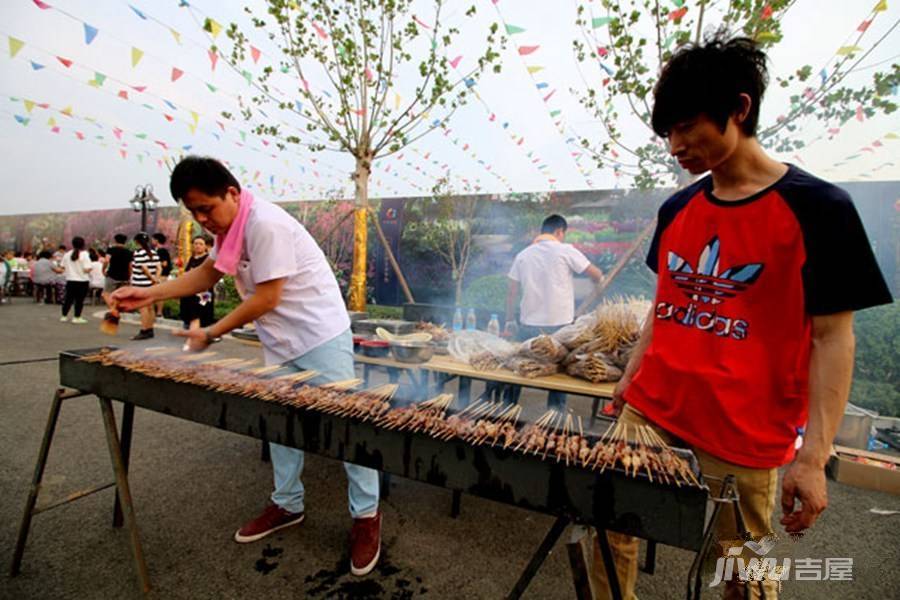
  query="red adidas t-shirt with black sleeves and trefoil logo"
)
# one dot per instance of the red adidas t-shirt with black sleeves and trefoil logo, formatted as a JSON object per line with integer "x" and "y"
{"x": 738, "y": 282}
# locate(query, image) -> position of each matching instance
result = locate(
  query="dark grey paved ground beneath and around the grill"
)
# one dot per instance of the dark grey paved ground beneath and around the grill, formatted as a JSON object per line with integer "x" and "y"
{"x": 194, "y": 485}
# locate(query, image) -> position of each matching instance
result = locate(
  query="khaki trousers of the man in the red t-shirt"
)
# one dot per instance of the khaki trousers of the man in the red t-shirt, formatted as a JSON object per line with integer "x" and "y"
{"x": 757, "y": 489}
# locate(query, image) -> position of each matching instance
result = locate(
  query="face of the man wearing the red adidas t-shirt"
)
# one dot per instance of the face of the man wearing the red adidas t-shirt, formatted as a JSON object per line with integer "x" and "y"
{"x": 700, "y": 145}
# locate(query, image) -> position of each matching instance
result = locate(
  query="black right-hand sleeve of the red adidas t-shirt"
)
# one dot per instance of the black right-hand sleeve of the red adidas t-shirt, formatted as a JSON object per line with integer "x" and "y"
{"x": 840, "y": 273}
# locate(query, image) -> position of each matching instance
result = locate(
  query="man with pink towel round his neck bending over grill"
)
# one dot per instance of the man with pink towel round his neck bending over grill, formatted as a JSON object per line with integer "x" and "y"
{"x": 290, "y": 292}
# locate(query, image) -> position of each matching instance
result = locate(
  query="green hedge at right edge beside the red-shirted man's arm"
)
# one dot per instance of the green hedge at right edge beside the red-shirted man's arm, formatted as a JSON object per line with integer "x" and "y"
{"x": 877, "y": 370}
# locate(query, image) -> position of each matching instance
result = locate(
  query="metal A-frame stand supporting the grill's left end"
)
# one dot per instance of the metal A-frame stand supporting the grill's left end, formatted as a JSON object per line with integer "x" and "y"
{"x": 118, "y": 453}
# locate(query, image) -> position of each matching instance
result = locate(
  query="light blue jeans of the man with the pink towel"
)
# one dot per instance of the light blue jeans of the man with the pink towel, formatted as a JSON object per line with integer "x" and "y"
{"x": 334, "y": 361}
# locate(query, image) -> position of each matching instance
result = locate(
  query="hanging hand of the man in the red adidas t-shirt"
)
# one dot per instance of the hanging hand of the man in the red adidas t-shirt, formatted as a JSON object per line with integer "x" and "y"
{"x": 803, "y": 481}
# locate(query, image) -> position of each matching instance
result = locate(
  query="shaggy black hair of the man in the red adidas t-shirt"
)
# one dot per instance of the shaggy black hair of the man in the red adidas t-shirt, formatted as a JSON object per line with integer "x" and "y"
{"x": 708, "y": 79}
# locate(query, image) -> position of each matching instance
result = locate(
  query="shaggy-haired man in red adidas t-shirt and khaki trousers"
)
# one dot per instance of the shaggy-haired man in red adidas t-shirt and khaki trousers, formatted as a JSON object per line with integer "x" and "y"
{"x": 760, "y": 266}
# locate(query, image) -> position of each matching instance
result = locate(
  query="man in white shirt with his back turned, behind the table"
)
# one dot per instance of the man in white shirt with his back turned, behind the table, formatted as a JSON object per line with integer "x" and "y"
{"x": 544, "y": 272}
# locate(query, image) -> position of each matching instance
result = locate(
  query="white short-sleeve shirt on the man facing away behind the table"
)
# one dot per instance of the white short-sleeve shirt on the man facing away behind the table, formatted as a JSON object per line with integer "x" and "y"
{"x": 544, "y": 271}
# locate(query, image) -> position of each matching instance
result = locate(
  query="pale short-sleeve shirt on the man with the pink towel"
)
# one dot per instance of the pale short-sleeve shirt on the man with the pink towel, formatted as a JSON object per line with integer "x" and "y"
{"x": 311, "y": 311}
